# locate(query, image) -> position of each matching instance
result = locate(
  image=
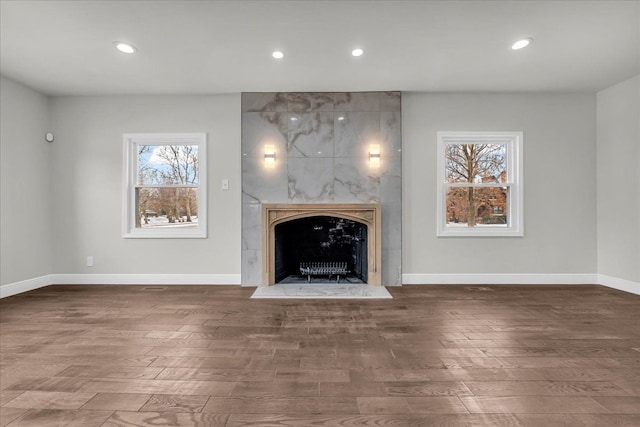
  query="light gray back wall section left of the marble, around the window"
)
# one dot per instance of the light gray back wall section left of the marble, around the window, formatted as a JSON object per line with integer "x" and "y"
{"x": 87, "y": 162}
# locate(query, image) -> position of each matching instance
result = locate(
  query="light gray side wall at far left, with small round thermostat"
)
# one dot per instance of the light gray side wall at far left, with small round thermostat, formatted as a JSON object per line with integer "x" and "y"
{"x": 25, "y": 177}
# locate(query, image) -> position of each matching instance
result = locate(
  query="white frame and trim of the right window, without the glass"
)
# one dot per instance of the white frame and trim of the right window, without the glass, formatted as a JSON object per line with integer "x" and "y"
{"x": 515, "y": 201}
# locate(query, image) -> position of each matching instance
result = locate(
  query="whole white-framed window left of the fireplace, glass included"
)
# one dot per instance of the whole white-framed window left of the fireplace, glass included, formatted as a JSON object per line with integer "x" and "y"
{"x": 165, "y": 185}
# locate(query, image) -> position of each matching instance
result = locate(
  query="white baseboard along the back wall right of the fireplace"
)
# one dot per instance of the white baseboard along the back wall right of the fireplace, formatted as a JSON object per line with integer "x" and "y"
{"x": 499, "y": 279}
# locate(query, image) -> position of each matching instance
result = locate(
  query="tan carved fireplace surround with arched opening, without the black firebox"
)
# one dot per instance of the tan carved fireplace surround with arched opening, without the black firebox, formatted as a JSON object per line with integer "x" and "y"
{"x": 365, "y": 213}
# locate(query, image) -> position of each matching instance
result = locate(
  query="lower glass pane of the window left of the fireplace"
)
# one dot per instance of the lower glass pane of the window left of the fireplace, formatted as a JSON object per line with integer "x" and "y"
{"x": 166, "y": 207}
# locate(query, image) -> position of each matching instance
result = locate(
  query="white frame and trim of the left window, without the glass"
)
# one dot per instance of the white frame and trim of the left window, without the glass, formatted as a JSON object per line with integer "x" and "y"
{"x": 130, "y": 176}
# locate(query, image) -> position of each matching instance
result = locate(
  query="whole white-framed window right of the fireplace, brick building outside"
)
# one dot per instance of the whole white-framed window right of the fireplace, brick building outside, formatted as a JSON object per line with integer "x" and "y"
{"x": 480, "y": 184}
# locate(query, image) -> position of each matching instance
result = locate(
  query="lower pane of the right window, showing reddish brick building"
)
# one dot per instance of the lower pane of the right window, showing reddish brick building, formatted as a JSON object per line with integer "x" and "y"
{"x": 476, "y": 207}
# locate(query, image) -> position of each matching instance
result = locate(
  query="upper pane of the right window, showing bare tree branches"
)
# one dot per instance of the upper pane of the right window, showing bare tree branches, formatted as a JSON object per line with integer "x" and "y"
{"x": 477, "y": 163}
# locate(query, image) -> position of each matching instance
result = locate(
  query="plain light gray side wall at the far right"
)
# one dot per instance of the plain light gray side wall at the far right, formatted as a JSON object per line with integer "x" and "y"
{"x": 618, "y": 157}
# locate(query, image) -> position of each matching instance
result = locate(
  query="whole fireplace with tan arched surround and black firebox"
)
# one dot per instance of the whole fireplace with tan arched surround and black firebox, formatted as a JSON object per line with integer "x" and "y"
{"x": 321, "y": 241}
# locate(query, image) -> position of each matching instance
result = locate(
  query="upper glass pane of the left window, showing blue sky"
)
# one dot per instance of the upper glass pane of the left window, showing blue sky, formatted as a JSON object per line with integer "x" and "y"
{"x": 167, "y": 164}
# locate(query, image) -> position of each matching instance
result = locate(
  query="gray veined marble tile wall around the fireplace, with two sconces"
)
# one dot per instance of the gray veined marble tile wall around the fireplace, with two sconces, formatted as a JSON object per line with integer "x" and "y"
{"x": 322, "y": 143}
